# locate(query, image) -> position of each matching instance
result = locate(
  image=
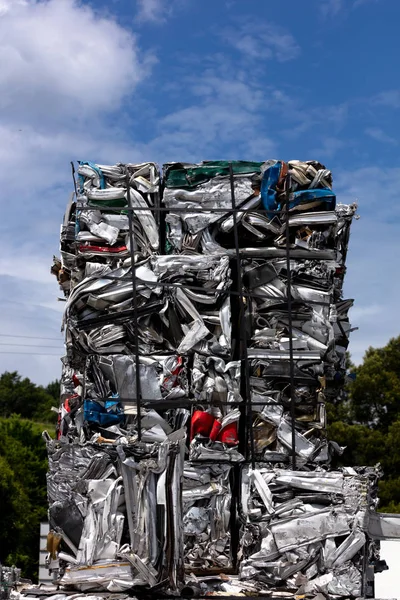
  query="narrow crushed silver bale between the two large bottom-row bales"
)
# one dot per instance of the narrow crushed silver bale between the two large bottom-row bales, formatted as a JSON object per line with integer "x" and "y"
{"x": 206, "y": 498}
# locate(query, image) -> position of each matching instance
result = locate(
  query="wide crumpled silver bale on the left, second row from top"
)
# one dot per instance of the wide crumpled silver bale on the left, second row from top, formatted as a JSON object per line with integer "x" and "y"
{"x": 172, "y": 318}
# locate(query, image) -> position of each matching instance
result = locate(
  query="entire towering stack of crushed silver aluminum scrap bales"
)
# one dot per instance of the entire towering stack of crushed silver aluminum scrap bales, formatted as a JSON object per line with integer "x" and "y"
{"x": 172, "y": 471}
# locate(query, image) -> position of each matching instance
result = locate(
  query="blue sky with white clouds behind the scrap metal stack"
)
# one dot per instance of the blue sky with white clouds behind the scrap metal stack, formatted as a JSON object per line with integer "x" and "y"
{"x": 166, "y": 80}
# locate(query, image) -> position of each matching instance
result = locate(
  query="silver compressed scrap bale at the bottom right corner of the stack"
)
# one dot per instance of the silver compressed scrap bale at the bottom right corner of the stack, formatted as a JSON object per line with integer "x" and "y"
{"x": 305, "y": 532}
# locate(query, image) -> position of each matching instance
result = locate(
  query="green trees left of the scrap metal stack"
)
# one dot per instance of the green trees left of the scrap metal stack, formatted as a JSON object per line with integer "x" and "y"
{"x": 25, "y": 411}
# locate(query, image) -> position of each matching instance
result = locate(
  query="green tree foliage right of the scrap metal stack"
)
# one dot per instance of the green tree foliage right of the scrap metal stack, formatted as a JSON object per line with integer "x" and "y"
{"x": 368, "y": 424}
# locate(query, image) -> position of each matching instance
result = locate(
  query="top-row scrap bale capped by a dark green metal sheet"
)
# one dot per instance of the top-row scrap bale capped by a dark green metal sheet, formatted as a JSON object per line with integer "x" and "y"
{"x": 199, "y": 200}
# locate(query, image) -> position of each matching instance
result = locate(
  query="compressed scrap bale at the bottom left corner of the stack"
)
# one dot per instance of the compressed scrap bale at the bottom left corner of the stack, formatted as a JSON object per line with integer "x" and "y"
{"x": 113, "y": 505}
